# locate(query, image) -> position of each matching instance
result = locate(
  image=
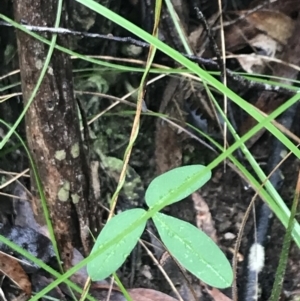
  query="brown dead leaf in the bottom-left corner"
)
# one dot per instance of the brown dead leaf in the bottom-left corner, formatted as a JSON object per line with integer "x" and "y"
{"x": 12, "y": 269}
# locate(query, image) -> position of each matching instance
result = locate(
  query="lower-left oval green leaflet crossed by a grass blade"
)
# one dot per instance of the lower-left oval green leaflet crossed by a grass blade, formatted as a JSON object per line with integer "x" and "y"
{"x": 111, "y": 259}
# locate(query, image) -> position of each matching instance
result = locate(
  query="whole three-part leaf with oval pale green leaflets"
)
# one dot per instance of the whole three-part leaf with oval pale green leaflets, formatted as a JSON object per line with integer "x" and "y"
{"x": 190, "y": 246}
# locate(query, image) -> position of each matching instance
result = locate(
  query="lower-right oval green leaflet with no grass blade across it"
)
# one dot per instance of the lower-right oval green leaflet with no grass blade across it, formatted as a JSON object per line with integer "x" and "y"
{"x": 194, "y": 250}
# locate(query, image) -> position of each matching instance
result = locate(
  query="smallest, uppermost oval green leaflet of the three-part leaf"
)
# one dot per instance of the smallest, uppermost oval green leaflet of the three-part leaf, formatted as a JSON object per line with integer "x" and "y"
{"x": 165, "y": 183}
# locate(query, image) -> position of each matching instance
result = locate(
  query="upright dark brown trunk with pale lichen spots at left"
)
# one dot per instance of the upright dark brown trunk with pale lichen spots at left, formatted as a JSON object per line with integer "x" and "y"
{"x": 53, "y": 134}
